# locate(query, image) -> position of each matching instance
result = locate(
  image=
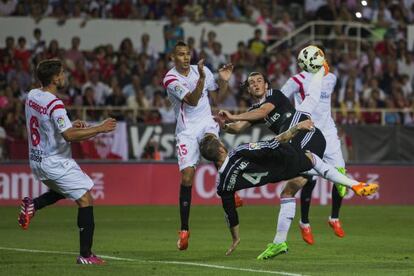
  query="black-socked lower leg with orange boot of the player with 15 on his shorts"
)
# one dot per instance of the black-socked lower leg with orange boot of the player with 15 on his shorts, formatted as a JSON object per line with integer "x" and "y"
{"x": 187, "y": 176}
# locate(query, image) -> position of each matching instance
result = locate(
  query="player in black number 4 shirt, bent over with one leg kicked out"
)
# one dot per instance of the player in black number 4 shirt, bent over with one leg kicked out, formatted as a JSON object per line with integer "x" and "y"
{"x": 257, "y": 164}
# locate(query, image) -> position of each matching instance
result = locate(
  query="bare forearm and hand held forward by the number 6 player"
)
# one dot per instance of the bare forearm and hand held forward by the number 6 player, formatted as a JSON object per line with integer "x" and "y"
{"x": 74, "y": 134}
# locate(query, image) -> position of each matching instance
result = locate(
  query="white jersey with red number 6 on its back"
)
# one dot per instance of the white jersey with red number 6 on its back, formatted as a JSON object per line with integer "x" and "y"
{"x": 46, "y": 119}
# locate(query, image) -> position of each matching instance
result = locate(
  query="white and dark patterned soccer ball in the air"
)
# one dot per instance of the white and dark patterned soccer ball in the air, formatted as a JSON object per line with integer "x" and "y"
{"x": 311, "y": 59}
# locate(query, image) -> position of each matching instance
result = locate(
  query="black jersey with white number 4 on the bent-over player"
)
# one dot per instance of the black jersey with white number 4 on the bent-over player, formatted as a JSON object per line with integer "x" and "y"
{"x": 256, "y": 164}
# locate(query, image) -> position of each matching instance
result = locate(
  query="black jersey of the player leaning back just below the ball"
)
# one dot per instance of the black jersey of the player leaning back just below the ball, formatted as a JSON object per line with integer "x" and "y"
{"x": 283, "y": 116}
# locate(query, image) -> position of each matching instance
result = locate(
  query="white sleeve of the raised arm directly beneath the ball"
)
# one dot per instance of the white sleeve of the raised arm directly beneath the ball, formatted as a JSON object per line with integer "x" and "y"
{"x": 313, "y": 94}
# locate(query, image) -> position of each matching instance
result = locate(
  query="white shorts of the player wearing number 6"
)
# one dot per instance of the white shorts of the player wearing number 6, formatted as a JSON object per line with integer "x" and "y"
{"x": 63, "y": 176}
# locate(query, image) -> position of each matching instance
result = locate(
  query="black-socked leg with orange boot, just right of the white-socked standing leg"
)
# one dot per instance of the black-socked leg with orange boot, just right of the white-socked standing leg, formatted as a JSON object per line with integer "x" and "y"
{"x": 305, "y": 201}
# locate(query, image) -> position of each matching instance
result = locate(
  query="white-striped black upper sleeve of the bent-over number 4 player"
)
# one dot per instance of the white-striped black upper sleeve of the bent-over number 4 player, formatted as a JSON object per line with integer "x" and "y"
{"x": 257, "y": 152}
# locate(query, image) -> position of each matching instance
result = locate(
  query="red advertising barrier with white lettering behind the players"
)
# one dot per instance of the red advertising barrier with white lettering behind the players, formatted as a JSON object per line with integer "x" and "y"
{"x": 158, "y": 184}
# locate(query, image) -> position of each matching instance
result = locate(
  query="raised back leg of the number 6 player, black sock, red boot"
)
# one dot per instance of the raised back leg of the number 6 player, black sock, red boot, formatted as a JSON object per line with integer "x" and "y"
{"x": 29, "y": 206}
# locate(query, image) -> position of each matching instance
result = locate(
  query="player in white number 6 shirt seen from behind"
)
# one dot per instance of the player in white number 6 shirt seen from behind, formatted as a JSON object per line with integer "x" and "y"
{"x": 50, "y": 132}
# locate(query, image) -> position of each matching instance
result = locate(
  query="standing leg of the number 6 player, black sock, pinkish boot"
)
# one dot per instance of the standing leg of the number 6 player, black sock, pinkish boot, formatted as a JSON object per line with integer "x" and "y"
{"x": 86, "y": 224}
